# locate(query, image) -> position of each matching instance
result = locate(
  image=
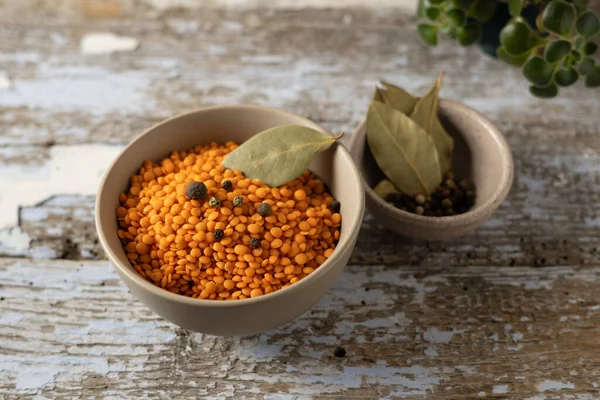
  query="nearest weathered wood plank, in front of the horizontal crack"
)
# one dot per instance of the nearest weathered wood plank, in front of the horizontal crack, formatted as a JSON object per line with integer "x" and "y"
{"x": 442, "y": 333}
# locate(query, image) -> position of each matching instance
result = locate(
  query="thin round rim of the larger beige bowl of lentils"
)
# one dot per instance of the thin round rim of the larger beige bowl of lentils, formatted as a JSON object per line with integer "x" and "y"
{"x": 144, "y": 284}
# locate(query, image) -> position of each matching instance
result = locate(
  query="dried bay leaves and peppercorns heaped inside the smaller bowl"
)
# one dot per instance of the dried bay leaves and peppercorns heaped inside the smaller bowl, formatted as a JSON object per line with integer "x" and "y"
{"x": 414, "y": 151}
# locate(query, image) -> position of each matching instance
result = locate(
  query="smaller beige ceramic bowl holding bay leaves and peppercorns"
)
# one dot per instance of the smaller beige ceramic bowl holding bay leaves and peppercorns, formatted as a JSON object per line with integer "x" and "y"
{"x": 481, "y": 155}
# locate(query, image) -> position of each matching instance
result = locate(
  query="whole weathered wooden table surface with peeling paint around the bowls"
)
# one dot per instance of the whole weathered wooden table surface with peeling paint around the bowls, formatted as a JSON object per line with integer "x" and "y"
{"x": 511, "y": 311}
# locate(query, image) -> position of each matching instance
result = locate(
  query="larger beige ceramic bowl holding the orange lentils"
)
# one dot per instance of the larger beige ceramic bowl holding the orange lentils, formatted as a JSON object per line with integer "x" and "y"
{"x": 221, "y": 124}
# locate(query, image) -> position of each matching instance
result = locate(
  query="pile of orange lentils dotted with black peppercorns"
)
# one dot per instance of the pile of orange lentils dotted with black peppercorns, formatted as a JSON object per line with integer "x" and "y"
{"x": 195, "y": 228}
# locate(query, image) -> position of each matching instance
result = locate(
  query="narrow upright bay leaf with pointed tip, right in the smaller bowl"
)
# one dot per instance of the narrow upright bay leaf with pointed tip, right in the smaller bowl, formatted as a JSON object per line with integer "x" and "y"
{"x": 425, "y": 115}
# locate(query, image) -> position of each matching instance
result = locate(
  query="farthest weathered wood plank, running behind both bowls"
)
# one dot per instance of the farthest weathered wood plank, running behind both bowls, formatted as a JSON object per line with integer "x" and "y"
{"x": 327, "y": 61}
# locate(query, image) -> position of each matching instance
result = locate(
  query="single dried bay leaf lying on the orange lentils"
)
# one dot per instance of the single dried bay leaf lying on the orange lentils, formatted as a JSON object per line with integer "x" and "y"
{"x": 278, "y": 155}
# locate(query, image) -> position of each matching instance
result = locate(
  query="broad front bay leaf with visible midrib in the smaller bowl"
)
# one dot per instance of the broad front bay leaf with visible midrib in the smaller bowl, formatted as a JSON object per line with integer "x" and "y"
{"x": 404, "y": 152}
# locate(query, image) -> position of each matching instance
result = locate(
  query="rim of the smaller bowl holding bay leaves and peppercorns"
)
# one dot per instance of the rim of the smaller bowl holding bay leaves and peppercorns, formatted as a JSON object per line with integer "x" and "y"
{"x": 475, "y": 213}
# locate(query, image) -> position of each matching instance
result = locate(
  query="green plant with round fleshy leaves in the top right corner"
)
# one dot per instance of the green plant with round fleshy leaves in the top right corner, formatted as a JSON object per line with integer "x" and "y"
{"x": 556, "y": 52}
